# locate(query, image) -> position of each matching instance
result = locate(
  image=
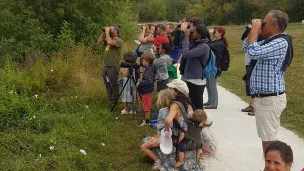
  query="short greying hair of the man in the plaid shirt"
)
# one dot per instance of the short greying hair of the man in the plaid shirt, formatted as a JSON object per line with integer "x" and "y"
{"x": 280, "y": 18}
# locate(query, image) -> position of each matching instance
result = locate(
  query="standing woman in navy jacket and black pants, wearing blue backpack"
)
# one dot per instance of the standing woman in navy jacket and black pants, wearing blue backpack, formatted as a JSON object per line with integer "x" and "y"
{"x": 197, "y": 55}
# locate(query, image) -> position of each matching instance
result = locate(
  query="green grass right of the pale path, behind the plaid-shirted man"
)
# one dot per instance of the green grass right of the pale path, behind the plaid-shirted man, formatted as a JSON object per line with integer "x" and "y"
{"x": 293, "y": 116}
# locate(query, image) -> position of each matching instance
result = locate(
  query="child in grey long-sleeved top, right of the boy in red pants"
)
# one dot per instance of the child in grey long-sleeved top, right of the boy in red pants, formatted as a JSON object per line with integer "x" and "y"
{"x": 161, "y": 64}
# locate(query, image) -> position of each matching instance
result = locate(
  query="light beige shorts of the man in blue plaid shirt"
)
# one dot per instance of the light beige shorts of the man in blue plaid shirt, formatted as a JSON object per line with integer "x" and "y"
{"x": 267, "y": 115}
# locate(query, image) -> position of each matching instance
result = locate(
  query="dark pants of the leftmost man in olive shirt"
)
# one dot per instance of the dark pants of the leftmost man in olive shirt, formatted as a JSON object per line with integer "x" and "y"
{"x": 110, "y": 77}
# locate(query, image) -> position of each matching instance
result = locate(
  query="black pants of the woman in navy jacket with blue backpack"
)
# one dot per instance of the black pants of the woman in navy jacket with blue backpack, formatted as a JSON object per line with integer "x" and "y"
{"x": 196, "y": 94}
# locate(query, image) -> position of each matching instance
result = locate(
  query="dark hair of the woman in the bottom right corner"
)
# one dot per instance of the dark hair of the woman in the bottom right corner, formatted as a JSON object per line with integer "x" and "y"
{"x": 284, "y": 149}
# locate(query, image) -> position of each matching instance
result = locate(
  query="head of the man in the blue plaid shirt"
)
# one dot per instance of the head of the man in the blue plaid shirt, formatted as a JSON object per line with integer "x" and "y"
{"x": 275, "y": 22}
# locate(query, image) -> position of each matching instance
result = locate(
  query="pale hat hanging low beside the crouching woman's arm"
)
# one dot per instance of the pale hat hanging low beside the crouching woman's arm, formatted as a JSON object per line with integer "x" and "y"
{"x": 166, "y": 144}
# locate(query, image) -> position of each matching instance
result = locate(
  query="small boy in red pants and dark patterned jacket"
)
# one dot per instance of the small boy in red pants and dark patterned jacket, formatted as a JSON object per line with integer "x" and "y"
{"x": 146, "y": 85}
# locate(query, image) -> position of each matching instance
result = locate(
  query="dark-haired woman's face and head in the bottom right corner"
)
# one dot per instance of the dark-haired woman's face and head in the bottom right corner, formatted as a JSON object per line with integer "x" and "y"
{"x": 278, "y": 156}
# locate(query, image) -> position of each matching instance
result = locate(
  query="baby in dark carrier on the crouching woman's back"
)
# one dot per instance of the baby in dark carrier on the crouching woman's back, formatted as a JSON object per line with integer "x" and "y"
{"x": 190, "y": 139}
